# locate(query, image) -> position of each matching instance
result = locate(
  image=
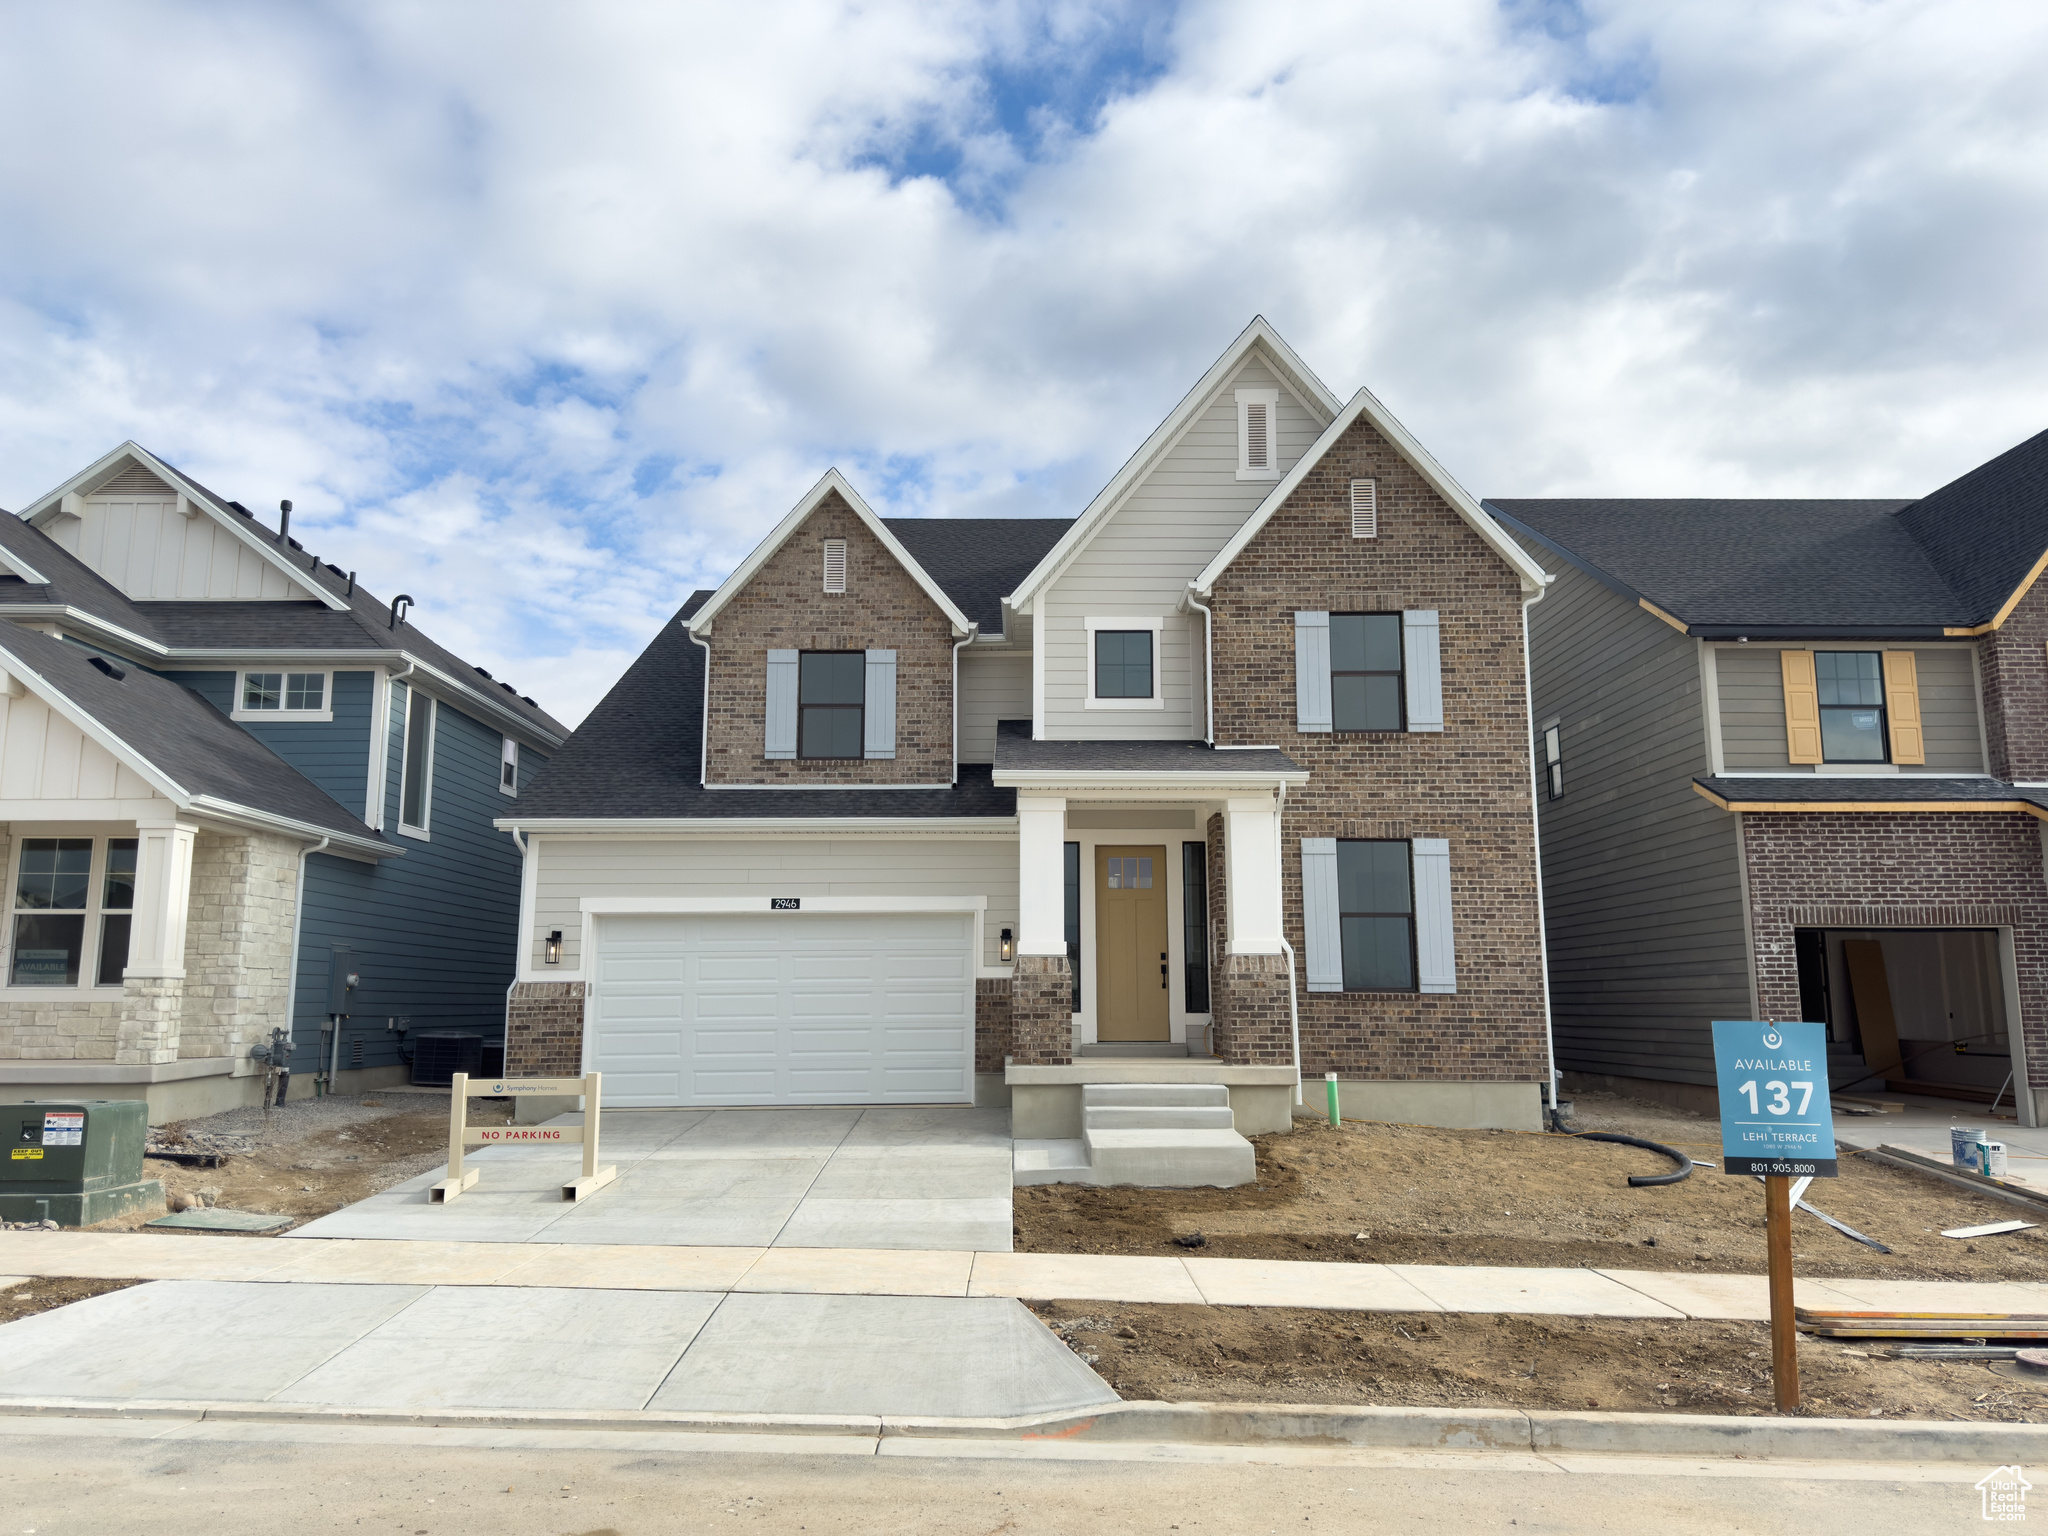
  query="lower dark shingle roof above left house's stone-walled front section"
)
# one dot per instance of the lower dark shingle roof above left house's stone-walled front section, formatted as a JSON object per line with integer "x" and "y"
{"x": 181, "y": 734}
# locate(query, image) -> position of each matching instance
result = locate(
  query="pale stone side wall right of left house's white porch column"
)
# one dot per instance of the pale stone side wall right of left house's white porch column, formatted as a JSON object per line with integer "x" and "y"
{"x": 239, "y": 943}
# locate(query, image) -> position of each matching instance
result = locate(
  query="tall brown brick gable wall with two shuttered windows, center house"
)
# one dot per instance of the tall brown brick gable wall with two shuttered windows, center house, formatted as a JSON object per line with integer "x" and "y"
{"x": 1469, "y": 783}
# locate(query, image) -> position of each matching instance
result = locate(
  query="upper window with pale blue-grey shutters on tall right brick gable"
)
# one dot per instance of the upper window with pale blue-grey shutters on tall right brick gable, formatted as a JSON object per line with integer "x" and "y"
{"x": 1369, "y": 673}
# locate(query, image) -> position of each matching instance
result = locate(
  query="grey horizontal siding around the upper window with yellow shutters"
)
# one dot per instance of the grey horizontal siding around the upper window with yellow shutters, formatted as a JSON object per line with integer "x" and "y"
{"x": 1754, "y": 710}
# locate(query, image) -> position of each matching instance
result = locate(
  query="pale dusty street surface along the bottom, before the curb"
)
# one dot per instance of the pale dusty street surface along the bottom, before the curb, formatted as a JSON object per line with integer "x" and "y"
{"x": 62, "y": 1478}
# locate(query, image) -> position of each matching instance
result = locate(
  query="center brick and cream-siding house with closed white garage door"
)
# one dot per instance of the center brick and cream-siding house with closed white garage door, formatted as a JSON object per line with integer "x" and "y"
{"x": 1224, "y": 781}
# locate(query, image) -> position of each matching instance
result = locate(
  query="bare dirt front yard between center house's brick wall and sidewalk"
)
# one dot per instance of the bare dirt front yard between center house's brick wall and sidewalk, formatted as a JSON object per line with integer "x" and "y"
{"x": 1410, "y": 1195}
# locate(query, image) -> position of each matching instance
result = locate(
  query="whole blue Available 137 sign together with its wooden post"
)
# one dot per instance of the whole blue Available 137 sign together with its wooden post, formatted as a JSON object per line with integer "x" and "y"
{"x": 1777, "y": 1121}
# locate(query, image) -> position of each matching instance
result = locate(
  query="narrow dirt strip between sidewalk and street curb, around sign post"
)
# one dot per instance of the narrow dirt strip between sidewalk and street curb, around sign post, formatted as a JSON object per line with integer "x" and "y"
{"x": 1277, "y": 1355}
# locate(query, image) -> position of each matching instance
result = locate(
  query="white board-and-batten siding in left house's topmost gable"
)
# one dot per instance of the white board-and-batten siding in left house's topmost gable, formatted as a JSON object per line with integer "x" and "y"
{"x": 134, "y": 534}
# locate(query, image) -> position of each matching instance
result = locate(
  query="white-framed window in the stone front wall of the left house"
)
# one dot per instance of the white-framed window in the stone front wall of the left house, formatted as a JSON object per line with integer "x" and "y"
{"x": 65, "y": 927}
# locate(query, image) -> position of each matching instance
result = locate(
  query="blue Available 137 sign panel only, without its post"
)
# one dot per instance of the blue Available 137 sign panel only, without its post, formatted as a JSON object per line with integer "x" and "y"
{"x": 1775, "y": 1113}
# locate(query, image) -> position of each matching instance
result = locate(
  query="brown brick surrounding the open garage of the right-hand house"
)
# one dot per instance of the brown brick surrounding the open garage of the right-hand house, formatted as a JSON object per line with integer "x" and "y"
{"x": 1910, "y": 869}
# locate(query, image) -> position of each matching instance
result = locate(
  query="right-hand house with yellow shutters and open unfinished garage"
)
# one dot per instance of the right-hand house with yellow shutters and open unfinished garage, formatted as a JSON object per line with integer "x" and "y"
{"x": 1797, "y": 769}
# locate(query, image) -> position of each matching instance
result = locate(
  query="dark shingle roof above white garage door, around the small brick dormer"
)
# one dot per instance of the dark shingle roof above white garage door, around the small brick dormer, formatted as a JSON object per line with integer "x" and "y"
{"x": 638, "y": 757}
